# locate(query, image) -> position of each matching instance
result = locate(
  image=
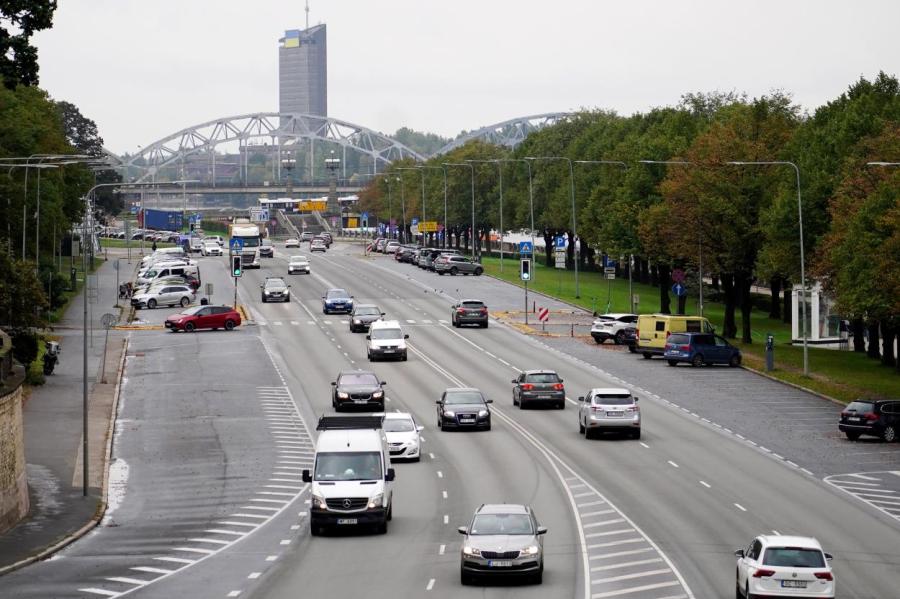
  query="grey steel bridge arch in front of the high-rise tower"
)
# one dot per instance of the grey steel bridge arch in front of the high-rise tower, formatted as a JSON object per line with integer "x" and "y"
{"x": 284, "y": 131}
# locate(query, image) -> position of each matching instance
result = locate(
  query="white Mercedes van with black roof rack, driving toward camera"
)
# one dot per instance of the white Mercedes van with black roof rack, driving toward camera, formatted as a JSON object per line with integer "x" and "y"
{"x": 352, "y": 479}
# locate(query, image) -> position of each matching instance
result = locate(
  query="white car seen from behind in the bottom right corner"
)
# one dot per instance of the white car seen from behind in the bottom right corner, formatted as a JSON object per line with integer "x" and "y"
{"x": 784, "y": 566}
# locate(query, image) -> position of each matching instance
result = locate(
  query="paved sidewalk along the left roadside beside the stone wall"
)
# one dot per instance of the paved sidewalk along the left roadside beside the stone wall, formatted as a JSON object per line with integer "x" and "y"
{"x": 53, "y": 420}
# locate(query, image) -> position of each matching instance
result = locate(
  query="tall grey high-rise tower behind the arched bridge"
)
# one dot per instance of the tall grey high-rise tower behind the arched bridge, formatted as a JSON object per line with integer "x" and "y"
{"x": 303, "y": 71}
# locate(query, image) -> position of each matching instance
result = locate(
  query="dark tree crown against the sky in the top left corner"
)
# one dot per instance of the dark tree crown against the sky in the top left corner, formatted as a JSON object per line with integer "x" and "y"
{"x": 19, "y": 19}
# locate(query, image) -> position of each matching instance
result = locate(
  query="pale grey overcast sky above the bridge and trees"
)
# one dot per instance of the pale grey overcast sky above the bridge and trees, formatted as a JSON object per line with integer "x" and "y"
{"x": 144, "y": 69}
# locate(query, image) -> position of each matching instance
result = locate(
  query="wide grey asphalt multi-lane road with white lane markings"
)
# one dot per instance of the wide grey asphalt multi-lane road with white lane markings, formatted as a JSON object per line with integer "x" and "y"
{"x": 215, "y": 427}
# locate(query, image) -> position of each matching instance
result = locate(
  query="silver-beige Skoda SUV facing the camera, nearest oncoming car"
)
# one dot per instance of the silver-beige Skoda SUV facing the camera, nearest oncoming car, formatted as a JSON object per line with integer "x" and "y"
{"x": 502, "y": 540}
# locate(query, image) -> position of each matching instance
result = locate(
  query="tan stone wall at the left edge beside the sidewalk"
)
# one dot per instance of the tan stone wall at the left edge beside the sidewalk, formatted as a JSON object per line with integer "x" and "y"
{"x": 13, "y": 482}
